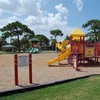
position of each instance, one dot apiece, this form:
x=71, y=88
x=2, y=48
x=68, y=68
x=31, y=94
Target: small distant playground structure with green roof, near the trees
x=35, y=47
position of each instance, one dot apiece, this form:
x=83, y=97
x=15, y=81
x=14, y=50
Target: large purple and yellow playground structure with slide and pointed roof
x=77, y=50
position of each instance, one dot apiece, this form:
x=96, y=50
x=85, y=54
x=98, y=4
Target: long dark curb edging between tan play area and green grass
x=31, y=88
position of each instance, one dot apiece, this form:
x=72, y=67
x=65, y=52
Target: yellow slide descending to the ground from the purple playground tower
x=61, y=57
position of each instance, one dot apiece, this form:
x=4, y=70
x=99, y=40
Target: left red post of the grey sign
x=16, y=69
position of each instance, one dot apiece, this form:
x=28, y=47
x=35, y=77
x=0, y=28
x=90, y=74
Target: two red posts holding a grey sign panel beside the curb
x=21, y=61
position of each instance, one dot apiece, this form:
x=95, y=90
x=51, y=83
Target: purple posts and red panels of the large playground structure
x=80, y=53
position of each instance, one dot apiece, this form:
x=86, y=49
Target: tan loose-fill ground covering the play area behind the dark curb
x=41, y=72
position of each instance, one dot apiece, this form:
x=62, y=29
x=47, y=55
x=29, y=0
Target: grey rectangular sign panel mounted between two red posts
x=23, y=61
